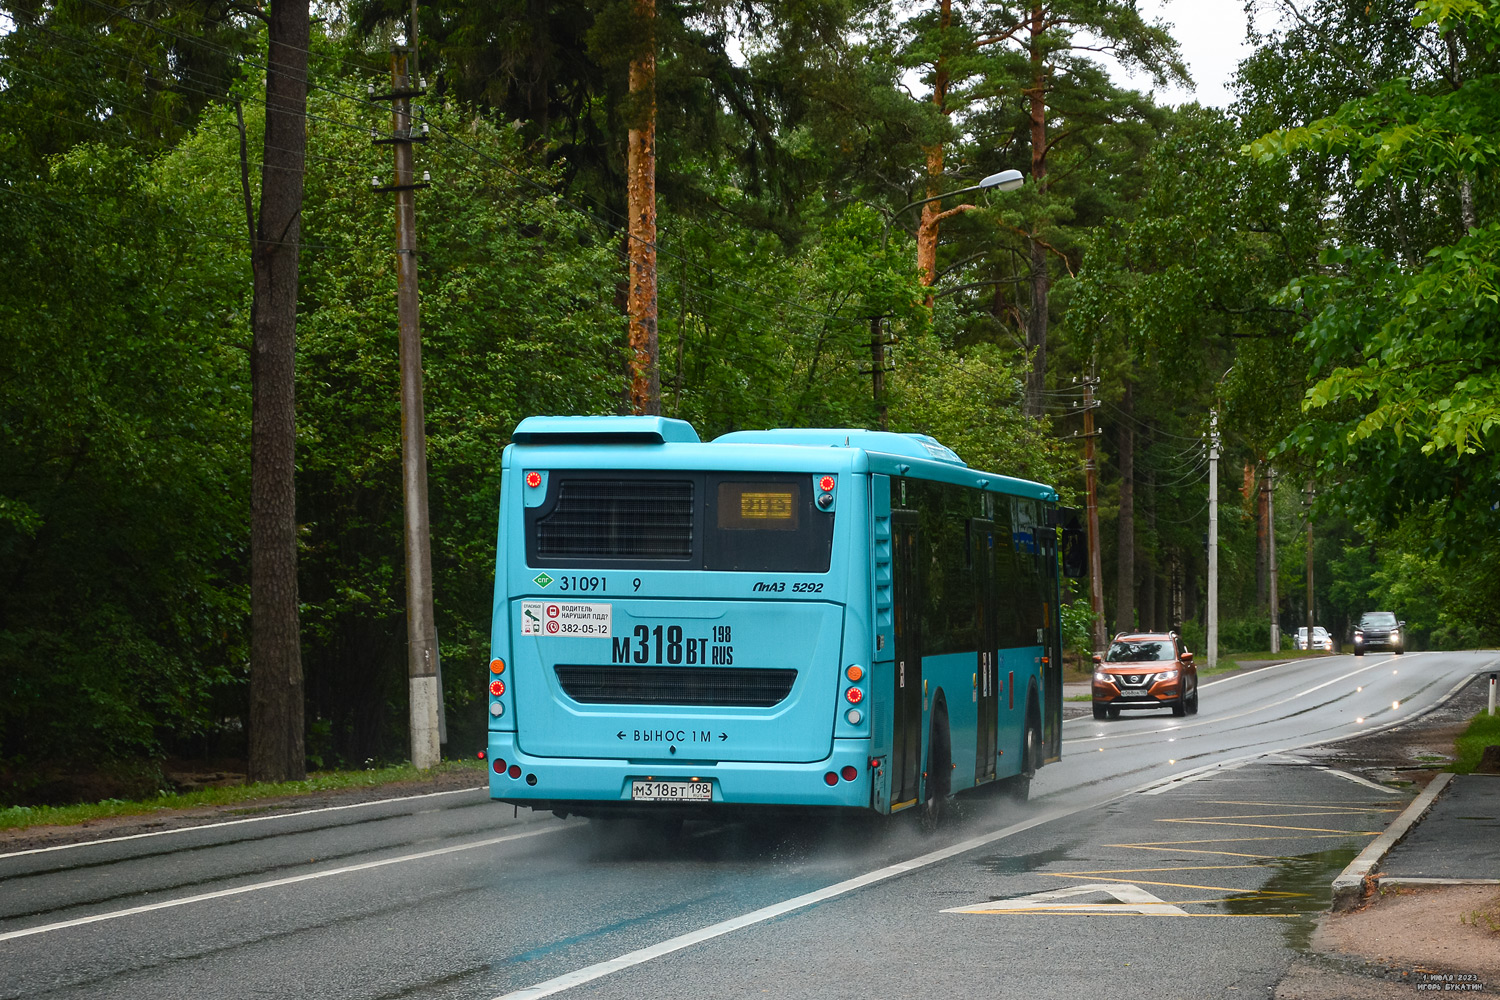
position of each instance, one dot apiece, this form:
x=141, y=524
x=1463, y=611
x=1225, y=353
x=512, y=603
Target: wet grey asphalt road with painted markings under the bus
x=1162, y=857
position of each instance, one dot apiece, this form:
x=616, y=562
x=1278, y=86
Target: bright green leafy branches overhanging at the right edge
x=1403, y=413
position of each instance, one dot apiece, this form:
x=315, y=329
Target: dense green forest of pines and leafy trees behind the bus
x=1318, y=265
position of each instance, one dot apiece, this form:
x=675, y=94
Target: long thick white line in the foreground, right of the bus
x=599, y=971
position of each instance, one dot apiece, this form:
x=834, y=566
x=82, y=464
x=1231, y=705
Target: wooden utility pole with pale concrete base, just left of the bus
x=422, y=641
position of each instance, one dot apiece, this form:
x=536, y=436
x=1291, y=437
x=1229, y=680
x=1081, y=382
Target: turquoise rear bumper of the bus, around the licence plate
x=575, y=785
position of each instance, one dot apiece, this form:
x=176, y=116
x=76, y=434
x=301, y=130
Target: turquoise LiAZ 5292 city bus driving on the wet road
x=802, y=618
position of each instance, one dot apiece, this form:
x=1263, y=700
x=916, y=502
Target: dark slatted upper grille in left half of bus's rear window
x=620, y=519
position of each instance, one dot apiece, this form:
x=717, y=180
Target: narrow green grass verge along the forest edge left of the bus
x=25, y=816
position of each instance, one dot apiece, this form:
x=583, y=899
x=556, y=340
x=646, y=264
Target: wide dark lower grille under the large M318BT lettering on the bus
x=752, y=687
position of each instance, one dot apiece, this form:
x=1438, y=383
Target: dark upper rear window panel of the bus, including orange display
x=743, y=522
